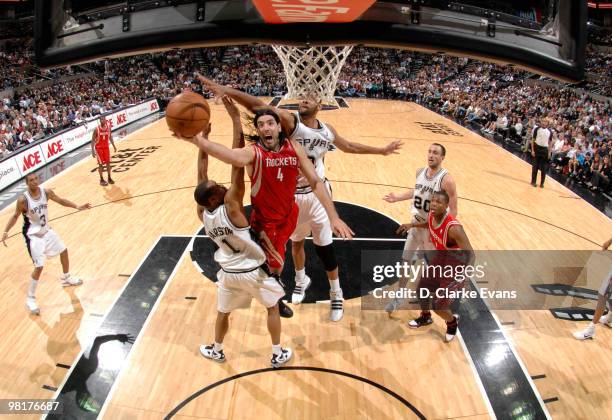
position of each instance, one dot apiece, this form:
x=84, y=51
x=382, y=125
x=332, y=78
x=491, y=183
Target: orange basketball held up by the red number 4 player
x=187, y=114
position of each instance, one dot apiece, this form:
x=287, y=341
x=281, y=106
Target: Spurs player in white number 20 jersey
x=428, y=180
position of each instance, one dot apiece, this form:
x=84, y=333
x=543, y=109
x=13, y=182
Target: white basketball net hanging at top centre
x=312, y=70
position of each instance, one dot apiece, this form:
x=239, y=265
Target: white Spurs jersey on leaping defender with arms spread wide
x=316, y=142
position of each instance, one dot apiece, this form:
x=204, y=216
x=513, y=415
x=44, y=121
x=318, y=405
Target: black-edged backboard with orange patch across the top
x=551, y=42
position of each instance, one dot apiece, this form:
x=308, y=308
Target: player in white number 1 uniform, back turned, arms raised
x=244, y=274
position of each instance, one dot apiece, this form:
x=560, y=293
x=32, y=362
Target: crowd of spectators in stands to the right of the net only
x=499, y=100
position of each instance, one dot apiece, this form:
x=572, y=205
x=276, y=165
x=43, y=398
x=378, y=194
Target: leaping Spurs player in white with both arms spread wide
x=316, y=138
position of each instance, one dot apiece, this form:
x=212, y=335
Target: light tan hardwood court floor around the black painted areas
x=497, y=206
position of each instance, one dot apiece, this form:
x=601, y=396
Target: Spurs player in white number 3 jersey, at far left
x=41, y=240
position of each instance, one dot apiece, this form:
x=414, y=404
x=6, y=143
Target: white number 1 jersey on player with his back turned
x=237, y=252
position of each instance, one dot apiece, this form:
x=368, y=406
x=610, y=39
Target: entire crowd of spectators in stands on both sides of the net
x=495, y=99
